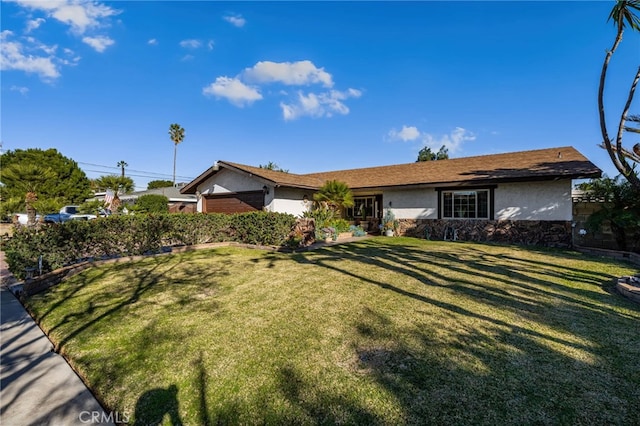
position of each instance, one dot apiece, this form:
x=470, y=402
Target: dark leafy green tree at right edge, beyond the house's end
x=620, y=208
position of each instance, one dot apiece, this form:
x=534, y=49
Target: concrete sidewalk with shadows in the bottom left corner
x=37, y=386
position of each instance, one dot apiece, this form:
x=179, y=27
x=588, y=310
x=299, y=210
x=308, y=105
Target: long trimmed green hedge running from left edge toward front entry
x=102, y=238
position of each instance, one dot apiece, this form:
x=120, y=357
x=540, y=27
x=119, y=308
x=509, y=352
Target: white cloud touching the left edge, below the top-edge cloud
x=15, y=56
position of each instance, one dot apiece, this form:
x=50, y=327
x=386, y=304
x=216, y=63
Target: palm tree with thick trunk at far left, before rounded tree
x=28, y=177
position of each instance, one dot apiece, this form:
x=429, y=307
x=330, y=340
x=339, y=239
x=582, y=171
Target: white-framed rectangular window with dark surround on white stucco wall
x=466, y=204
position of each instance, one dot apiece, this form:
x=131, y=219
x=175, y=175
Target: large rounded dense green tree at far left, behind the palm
x=63, y=183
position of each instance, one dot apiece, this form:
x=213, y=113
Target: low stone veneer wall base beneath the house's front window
x=522, y=232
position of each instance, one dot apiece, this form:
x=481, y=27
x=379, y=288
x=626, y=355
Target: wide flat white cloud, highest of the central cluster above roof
x=290, y=73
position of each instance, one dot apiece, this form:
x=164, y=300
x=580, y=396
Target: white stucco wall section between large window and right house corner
x=549, y=200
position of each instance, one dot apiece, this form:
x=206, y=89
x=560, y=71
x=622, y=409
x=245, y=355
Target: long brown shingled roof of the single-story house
x=542, y=164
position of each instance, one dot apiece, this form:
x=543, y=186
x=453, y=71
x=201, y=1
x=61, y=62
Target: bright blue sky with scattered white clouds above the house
x=311, y=86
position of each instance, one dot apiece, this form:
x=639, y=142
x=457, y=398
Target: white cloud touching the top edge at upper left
x=78, y=15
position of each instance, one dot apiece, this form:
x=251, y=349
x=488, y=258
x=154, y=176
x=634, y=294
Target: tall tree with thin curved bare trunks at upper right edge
x=622, y=14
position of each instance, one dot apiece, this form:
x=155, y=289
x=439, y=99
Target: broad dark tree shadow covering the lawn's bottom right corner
x=469, y=381
